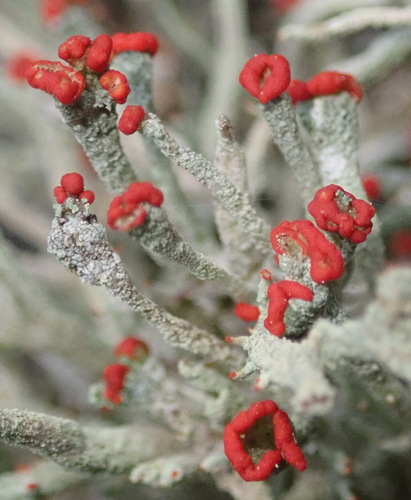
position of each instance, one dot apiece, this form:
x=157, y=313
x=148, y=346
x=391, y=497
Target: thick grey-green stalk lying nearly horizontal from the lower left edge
x=85, y=449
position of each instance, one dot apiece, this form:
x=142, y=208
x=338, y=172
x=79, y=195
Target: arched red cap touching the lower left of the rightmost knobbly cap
x=301, y=237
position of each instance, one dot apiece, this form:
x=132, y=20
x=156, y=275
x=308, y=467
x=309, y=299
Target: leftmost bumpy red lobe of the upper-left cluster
x=63, y=82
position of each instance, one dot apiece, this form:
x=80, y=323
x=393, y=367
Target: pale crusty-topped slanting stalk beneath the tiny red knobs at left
x=80, y=243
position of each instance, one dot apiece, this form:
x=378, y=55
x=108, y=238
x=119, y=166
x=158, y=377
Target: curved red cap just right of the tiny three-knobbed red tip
x=126, y=212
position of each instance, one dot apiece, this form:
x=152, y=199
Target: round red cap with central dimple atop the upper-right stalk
x=265, y=76
